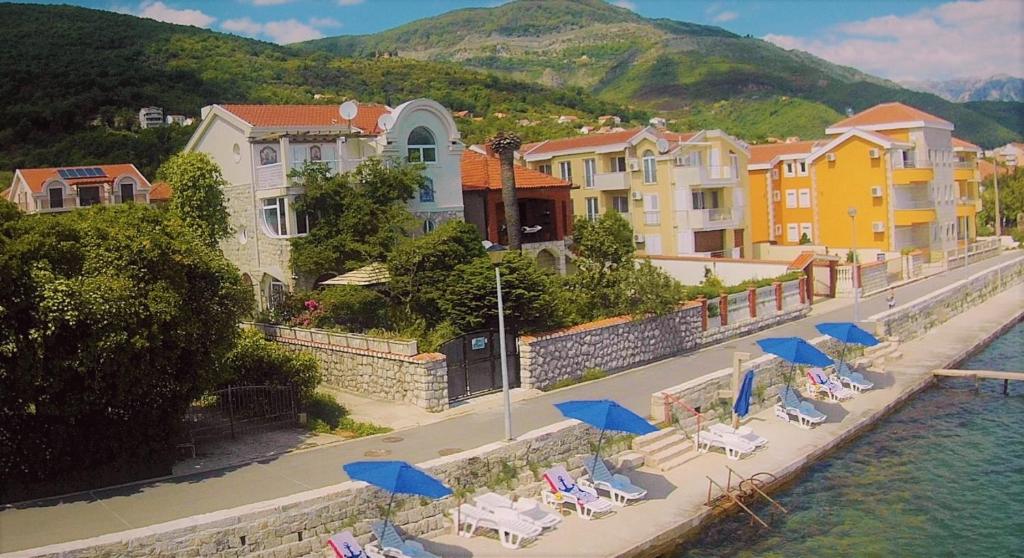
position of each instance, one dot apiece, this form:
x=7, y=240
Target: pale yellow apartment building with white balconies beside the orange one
x=685, y=194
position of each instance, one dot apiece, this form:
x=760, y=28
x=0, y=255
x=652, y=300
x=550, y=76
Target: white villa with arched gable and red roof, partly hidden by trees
x=257, y=146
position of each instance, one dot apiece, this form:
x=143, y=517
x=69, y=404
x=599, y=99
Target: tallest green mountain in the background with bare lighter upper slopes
x=698, y=75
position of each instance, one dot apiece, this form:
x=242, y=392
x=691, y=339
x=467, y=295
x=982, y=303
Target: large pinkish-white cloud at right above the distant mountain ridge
x=953, y=40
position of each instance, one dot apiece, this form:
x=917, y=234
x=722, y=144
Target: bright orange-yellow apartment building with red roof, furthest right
x=912, y=186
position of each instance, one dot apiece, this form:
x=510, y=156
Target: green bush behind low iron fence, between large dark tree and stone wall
x=254, y=361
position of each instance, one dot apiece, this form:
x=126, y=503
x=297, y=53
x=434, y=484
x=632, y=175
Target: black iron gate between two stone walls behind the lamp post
x=475, y=364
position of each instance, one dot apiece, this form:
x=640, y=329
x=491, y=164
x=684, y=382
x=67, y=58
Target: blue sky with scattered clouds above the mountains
x=899, y=39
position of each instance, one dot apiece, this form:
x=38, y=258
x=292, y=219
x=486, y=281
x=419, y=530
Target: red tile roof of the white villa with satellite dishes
x=271, y=116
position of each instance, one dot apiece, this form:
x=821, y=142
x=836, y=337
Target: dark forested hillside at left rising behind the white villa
x=71, y=94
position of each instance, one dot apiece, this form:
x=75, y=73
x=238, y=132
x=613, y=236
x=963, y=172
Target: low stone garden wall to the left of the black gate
x=388, y=369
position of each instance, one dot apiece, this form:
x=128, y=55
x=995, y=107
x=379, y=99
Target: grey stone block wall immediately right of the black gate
x=609, y=345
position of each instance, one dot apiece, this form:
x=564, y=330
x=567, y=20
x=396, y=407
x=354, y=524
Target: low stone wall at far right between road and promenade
x=916, y=318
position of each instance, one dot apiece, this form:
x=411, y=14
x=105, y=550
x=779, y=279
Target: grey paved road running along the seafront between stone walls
x=140, y=505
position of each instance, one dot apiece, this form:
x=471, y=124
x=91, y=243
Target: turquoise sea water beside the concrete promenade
x=944, y=477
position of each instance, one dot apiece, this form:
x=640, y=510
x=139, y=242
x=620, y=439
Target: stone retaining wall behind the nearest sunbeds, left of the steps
x=301, y=525
